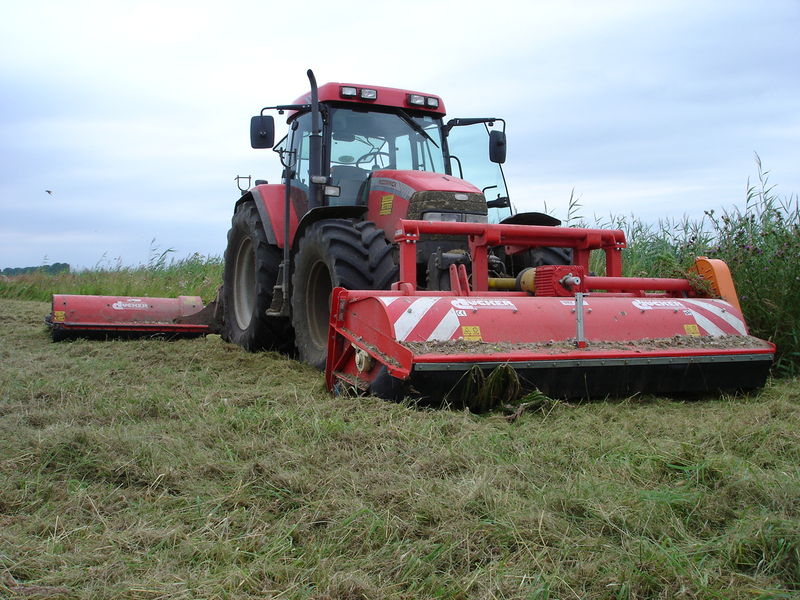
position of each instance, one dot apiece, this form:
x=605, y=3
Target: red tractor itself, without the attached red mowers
x=357, y=160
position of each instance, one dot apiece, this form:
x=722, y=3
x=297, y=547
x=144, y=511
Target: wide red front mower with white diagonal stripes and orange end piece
x=564, y=331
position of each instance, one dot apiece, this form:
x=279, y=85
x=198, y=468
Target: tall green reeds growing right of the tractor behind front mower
x=760, y=242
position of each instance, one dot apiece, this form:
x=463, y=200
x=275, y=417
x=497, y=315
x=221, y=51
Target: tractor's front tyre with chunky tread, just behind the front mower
x=334, y=253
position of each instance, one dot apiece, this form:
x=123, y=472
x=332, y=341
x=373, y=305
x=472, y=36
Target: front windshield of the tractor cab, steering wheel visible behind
x=377, y=140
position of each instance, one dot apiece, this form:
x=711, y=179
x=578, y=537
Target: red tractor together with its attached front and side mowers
x=376, y=259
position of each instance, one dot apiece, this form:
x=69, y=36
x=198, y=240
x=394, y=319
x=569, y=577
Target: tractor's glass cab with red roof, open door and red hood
x=367, y=137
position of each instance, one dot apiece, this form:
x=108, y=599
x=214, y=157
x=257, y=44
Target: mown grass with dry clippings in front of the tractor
x=190, y=469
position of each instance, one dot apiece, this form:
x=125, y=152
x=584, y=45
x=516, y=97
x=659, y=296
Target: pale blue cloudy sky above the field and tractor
x=135, y=114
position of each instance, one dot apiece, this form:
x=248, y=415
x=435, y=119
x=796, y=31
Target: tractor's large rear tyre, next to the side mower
x=251, y=271
